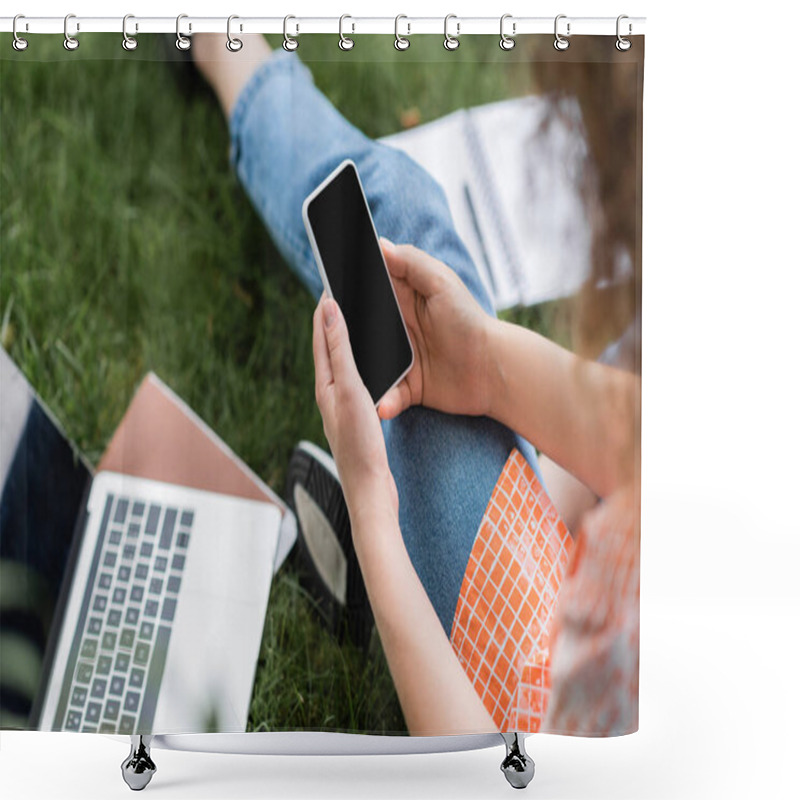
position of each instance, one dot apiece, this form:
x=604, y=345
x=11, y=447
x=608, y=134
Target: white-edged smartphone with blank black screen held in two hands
x=350, y=262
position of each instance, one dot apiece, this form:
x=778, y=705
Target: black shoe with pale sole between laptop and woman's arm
x=329, y=569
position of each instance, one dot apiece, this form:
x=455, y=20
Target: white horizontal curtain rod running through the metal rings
x=299, y=25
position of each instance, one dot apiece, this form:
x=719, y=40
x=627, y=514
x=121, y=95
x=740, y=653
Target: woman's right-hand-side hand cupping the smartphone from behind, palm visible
x=449, y=332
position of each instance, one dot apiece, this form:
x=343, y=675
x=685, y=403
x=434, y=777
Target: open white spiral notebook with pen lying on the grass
x=523, y=209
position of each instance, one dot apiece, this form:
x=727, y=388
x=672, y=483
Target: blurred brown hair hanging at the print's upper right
x=608, y=86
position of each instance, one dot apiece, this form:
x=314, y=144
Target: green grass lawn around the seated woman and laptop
x=127, y=245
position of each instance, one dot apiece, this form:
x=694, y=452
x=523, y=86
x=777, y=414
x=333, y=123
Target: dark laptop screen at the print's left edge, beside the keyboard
x=42, y=485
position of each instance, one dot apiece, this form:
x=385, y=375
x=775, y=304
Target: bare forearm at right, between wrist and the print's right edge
x=582, y=414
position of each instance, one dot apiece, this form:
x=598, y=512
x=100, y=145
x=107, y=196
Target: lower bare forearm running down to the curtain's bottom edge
x=434, y=691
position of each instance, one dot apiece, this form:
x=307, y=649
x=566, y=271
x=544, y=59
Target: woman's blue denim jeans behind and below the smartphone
x=286, y=138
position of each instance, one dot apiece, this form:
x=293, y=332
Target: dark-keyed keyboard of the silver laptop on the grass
x=118, y=654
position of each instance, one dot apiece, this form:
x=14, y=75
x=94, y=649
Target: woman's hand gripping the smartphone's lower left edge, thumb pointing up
x=348, y=414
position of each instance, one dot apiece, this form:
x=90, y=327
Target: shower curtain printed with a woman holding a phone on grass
x=156, y=275
